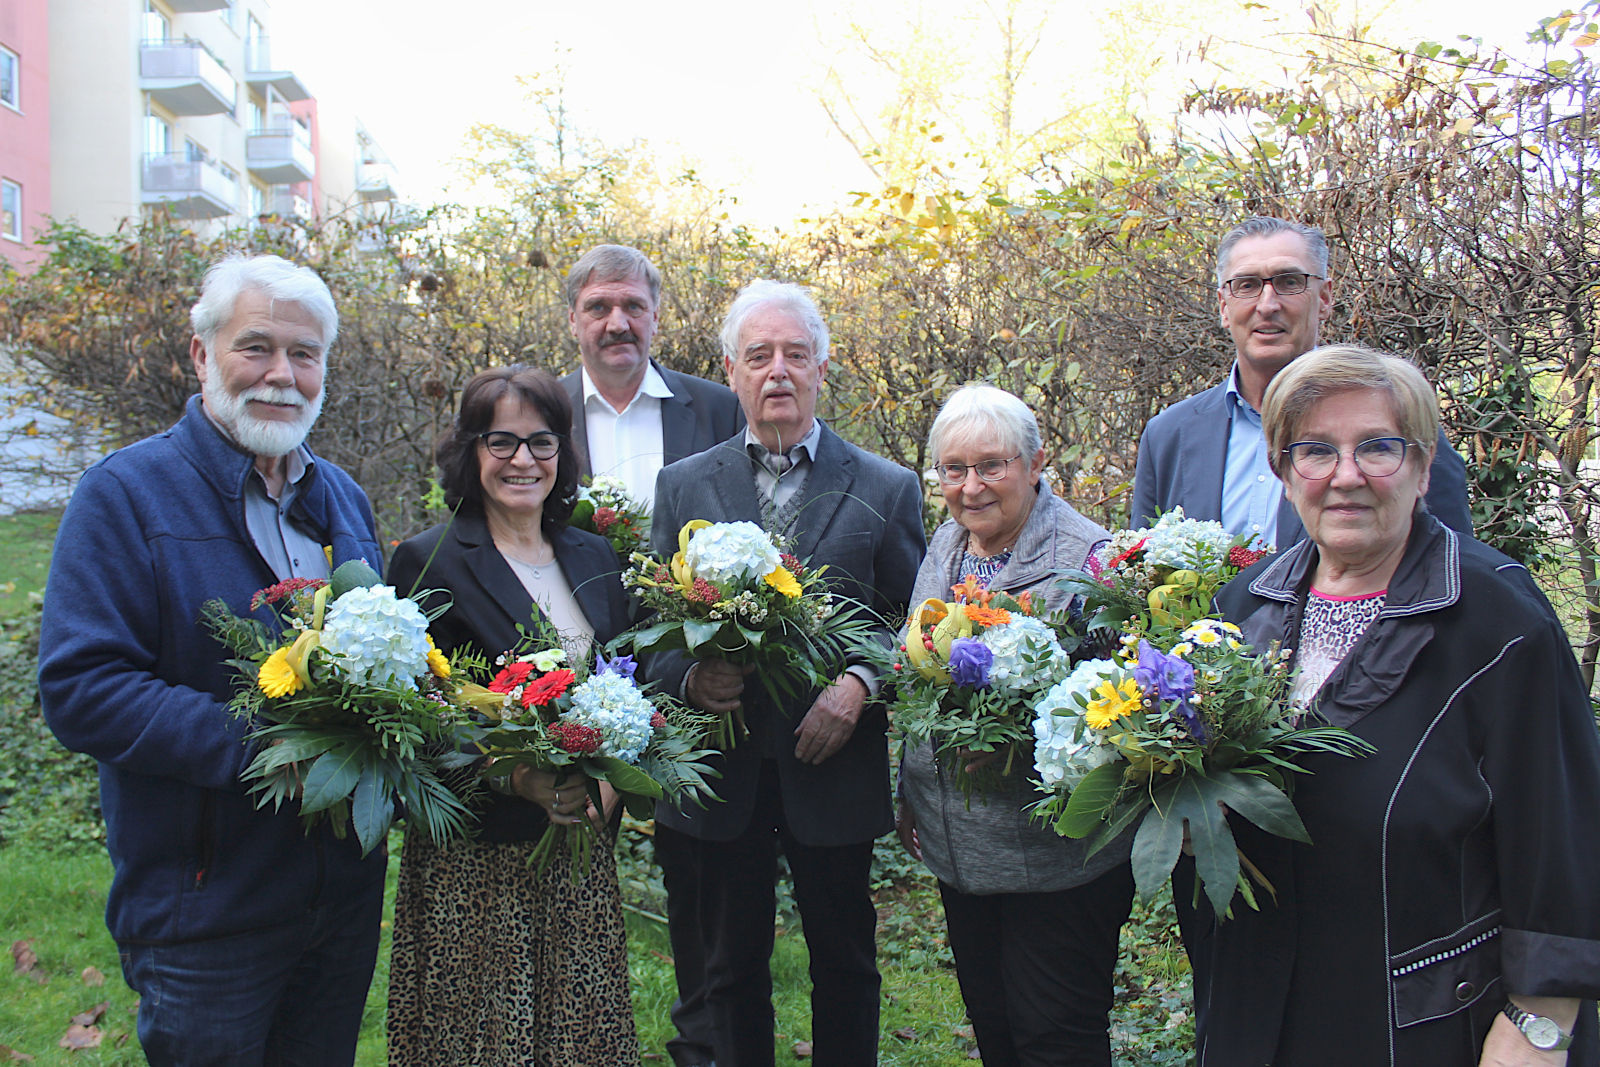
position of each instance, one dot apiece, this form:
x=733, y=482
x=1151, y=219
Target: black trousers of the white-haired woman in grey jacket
x=1036, y=970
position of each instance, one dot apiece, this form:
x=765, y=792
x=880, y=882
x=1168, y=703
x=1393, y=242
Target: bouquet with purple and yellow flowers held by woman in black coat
x=1166, y=738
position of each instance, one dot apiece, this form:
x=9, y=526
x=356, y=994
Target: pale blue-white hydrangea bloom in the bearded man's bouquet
x=377, y=637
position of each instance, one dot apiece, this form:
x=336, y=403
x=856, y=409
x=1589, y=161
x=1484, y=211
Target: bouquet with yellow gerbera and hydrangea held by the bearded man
x=351, y=703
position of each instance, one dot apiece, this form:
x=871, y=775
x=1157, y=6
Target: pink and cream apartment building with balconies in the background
x=170, y=105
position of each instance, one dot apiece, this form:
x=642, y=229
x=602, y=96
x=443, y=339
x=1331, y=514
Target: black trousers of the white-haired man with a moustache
x=738, y=909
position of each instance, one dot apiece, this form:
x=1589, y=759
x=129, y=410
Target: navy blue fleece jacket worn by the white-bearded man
x=132, y=677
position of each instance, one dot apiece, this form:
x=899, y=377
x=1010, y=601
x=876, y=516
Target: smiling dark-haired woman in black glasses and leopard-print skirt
x=494, y=964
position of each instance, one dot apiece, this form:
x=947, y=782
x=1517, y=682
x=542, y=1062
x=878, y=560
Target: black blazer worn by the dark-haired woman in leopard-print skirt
x=487, y=602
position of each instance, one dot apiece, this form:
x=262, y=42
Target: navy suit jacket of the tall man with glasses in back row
x=1183, y=458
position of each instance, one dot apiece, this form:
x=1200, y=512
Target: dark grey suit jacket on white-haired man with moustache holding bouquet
x=862, y=518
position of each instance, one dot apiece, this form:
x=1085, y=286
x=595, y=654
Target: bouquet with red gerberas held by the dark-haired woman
x=540, y=713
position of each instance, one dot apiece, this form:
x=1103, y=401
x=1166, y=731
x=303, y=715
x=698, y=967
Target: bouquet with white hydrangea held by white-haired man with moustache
x=732, y=594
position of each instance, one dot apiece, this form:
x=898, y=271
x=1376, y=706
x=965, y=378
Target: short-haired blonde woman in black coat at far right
x=1449, y=909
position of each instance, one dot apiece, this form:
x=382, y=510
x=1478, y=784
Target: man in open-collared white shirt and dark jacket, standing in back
x=631, y=415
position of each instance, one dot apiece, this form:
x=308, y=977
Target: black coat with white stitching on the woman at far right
x=1452, y=866
